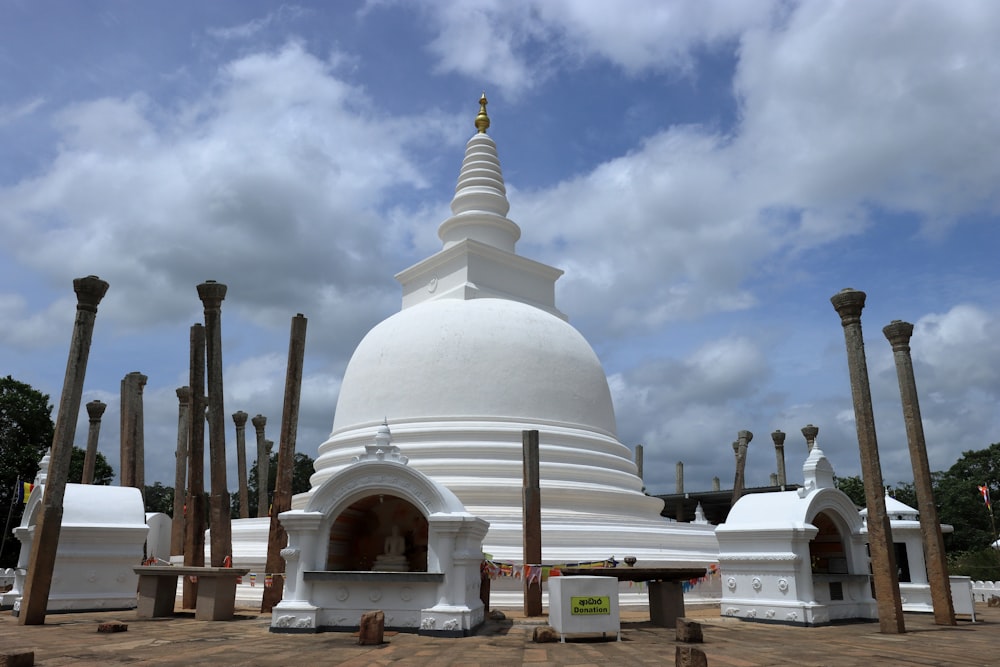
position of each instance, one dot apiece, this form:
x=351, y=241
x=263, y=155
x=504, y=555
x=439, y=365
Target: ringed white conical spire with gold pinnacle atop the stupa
x=480, y=203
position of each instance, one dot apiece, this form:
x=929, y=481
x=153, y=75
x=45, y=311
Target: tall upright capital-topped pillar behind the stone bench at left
x=211, y=294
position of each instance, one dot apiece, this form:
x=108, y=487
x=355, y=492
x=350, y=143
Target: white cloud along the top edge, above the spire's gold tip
x=518, y=45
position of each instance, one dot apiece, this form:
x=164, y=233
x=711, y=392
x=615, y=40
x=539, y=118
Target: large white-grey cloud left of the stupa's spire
x=269, y=183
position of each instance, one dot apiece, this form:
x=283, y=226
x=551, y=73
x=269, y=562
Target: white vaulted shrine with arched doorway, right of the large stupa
x=796, y=557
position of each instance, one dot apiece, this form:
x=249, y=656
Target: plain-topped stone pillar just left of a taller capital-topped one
x=194, y=540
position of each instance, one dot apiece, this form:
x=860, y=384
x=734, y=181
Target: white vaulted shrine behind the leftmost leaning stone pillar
x=102, y=537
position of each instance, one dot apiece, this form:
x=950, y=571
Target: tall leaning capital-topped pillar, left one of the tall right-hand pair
x=849, y=303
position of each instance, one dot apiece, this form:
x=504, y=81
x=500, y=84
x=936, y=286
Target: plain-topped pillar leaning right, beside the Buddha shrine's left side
x=277, y=539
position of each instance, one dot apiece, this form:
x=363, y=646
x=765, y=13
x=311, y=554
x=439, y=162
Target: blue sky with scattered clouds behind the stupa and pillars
x=708, y=175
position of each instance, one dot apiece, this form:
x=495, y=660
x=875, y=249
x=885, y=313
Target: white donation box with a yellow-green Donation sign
x=583, y=605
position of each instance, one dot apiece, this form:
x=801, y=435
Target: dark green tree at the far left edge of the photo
x=26, y=431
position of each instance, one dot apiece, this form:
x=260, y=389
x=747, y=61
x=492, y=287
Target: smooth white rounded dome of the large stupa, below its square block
x=479, y=359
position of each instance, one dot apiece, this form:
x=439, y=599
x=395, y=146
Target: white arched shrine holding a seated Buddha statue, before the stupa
x=380, y=534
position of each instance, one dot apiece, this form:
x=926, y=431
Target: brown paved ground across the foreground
x=72, y=639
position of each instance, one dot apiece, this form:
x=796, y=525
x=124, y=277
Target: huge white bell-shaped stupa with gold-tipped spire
x=478, y=353
